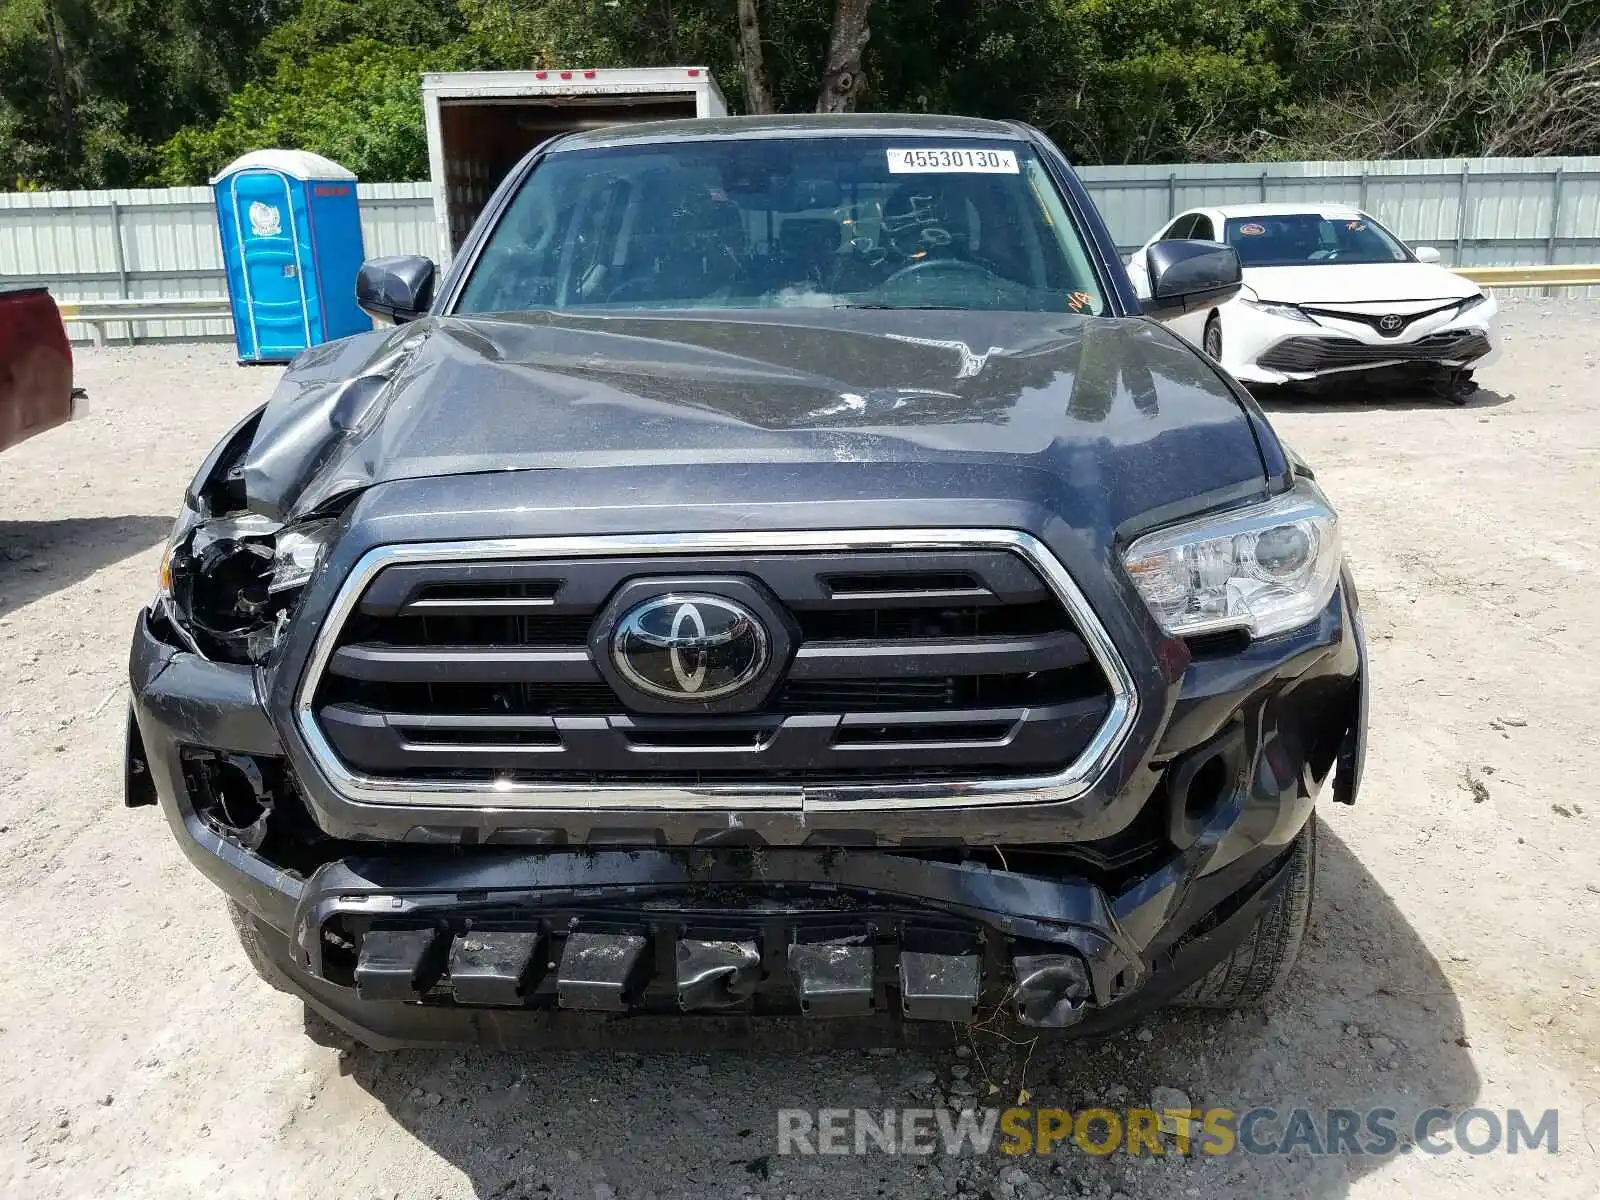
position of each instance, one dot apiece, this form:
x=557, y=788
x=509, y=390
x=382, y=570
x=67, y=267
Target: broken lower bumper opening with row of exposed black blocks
x=756, y=934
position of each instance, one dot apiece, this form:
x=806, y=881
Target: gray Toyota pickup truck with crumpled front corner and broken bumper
x=780, y=574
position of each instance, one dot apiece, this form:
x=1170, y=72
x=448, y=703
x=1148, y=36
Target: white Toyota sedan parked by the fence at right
x=1329, y=292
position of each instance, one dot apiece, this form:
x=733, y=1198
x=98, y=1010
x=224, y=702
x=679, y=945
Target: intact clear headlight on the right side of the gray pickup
x=1266, y=569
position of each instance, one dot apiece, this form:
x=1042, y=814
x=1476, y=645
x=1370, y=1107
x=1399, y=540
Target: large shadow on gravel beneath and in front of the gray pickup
x=601, y=1126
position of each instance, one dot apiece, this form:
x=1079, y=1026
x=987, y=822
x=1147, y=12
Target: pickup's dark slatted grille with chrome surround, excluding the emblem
x=457, y=671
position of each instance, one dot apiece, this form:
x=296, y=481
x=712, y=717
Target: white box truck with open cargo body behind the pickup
x=482, y=122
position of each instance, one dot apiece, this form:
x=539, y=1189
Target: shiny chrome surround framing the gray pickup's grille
x=857, y=799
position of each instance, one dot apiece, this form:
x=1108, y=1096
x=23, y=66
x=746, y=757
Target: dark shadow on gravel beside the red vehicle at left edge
x=42, y=558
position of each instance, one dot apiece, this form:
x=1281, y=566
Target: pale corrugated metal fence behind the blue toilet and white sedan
x=1479, y=212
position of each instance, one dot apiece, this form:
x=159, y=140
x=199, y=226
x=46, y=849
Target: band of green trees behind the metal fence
x=119, y=92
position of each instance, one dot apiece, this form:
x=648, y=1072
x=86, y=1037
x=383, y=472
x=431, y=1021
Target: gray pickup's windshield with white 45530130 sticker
x=788, y=223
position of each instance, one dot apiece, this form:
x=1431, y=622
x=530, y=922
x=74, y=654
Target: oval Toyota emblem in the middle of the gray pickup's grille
x=690, y=647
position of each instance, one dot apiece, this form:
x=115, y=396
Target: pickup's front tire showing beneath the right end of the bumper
x=1265, y=961
